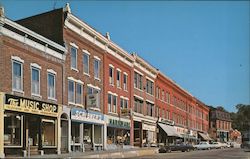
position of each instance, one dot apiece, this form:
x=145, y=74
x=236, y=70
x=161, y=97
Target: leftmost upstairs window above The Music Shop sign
x=17, y=75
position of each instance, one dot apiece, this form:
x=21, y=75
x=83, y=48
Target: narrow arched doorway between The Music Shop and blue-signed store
x=64, y=133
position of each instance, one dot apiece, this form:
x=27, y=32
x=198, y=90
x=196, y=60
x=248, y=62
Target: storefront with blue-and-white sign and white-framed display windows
x=87, y=129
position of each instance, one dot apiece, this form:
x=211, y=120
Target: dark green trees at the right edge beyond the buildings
x=241, y=119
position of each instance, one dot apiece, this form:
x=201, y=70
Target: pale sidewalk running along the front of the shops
x=127, y=153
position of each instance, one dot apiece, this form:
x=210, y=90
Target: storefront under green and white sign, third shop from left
x=118, y=132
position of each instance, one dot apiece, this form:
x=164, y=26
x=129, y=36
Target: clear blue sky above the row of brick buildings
x=202, y=45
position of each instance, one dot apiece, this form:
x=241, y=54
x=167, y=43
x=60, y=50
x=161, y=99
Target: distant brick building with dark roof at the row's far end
x=220, y=124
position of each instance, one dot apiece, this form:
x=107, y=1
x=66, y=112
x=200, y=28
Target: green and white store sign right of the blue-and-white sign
x=117, y=122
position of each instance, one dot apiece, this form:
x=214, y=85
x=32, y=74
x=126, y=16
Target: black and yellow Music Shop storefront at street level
x=30, y=126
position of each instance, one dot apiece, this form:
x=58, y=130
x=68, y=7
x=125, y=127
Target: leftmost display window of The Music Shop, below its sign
x=12, y=129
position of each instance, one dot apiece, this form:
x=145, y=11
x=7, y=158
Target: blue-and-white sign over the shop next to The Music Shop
x=87, y=116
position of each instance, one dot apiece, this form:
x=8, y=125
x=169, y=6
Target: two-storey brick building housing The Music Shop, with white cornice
x=31, y=90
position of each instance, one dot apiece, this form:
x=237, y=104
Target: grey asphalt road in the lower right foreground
x=229, y=153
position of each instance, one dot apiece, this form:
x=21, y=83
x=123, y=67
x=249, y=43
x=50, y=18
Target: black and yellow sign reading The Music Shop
x=26, y=105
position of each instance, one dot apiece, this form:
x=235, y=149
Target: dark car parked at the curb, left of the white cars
x=176, y=147
